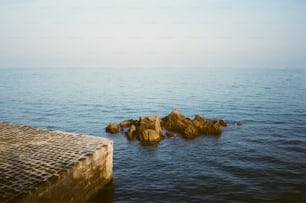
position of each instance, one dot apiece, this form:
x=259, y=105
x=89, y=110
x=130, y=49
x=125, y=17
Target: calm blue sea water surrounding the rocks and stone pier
x=264, y=159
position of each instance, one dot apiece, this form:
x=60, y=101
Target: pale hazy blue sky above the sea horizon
x=209, y=33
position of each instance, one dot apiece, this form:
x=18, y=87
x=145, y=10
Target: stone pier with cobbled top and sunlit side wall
x=39, y=165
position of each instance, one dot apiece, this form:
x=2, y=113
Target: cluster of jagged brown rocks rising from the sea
x=153, y=128
